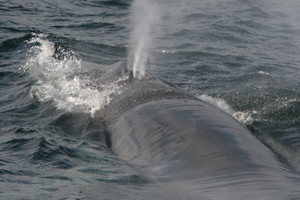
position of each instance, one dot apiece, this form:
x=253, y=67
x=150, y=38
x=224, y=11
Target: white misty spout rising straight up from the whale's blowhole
x=144, y=14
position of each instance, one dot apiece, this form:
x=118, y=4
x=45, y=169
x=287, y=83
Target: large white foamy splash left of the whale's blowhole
x=58, y=78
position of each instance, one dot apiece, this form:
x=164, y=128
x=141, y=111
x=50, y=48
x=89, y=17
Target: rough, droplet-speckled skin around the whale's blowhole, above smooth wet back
x=131, y=92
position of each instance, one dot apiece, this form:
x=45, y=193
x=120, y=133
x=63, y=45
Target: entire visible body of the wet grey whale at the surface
x=188, y=143
